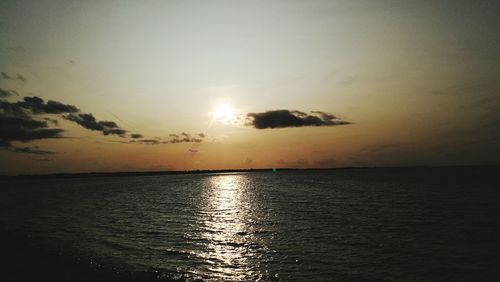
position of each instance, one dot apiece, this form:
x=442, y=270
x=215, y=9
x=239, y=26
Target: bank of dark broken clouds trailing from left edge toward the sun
x=29, y=119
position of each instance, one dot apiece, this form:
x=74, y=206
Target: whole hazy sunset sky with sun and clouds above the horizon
x=183, y=85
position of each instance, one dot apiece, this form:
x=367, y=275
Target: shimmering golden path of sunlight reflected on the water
x=226, y=218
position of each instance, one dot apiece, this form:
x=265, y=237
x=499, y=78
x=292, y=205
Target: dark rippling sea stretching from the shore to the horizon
x=343, y=225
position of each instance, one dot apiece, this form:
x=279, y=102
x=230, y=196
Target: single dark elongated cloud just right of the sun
x=287, y=118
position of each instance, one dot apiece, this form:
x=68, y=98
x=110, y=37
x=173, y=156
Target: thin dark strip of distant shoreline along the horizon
x=215, y=171
